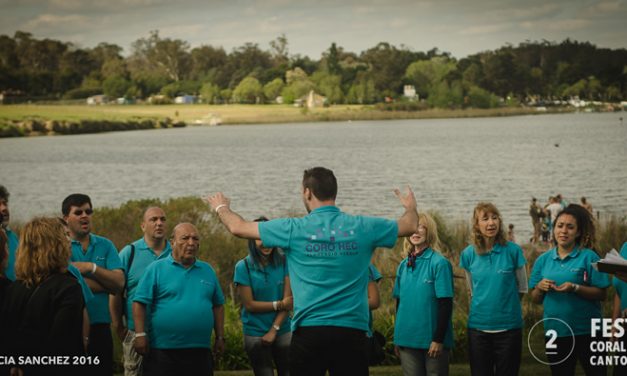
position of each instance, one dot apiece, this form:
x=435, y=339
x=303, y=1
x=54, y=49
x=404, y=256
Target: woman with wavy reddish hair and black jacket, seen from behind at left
x=42, y=313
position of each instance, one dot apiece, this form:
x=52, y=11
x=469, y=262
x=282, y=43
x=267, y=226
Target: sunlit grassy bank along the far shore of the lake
x=17, y=120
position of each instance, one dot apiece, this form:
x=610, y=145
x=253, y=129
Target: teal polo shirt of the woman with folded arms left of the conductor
x=267, y=284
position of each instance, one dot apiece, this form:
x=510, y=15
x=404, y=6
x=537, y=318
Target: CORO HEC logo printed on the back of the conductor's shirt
x=331, y=243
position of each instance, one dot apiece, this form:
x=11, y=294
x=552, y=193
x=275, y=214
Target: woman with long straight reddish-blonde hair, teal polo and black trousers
x=497, y=278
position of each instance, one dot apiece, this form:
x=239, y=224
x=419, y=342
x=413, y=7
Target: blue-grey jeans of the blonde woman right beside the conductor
x=416, y=362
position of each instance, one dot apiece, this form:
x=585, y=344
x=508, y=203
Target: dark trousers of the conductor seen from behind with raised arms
x=317, y=349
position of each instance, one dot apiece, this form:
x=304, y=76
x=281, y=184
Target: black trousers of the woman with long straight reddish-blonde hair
x=495, y=354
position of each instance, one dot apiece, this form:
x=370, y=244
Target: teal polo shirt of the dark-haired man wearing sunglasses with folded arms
x=102, y=252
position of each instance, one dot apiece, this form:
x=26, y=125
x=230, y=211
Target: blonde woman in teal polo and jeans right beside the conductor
x=424, y=303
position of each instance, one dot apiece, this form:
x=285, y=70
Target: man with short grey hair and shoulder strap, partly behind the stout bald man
x=135, y=259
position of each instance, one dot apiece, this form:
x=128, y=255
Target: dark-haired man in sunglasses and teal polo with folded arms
x=97, y=260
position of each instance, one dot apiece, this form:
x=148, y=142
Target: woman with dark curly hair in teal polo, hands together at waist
x=571, y=290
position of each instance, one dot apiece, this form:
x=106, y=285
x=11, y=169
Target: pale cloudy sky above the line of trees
x=460, y=27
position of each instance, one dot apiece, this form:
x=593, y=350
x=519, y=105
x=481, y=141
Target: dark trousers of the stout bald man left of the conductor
x=188, y=362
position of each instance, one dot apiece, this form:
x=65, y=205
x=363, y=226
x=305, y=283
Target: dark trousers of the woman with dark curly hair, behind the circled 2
x=581, y=351
